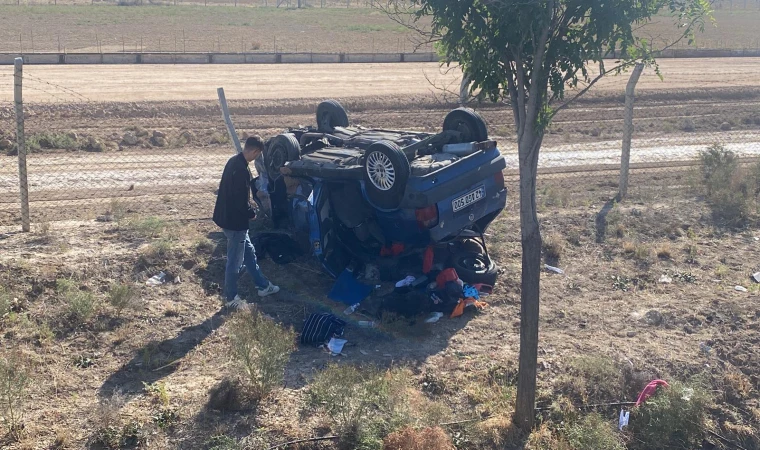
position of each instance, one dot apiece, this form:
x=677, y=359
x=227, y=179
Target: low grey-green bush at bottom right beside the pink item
x=673, y=418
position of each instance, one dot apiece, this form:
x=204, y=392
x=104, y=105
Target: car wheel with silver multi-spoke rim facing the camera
x=386, y=171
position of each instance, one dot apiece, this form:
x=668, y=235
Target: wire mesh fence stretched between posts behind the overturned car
x=92, y=160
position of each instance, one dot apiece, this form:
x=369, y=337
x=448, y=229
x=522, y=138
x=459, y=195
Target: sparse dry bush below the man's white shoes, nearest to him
x=261, y=348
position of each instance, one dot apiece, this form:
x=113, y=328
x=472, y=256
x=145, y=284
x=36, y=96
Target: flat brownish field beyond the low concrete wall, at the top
x=92, y=28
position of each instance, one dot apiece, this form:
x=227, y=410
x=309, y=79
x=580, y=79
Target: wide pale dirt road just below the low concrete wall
x=136, y=83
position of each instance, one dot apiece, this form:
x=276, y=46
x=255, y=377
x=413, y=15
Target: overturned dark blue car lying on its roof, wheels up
x=399, y=200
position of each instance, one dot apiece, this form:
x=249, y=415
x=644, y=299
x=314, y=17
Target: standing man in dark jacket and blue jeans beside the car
x=232, y=212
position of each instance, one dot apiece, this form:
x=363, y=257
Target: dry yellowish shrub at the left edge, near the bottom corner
x=14, y=380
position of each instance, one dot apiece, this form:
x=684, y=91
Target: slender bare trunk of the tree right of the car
x=528, y=149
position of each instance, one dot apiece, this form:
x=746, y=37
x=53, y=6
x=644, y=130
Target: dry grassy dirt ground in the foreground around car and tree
x=595, y=322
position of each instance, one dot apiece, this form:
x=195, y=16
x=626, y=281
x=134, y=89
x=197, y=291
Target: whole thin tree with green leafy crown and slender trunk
x=530, y=54
